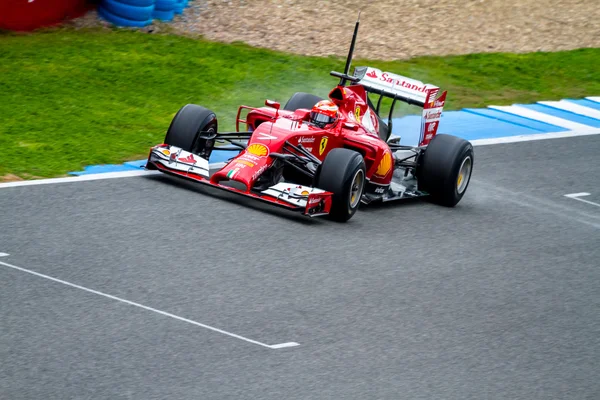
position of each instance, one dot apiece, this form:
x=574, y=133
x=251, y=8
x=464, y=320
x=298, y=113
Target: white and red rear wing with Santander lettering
x=407, y=90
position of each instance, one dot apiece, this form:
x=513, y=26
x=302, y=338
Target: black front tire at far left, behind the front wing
x=184, y=128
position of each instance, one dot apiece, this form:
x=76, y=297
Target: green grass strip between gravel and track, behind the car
x=74, y=98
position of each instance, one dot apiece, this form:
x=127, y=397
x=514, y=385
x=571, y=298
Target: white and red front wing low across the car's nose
x=175, y=161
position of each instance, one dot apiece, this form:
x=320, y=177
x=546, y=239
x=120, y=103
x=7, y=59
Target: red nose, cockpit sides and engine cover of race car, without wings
x=272, y=128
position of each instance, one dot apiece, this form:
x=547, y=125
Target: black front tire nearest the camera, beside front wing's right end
x=343, y=173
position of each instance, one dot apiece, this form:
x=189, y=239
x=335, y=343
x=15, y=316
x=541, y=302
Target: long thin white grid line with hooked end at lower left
x=189, y=321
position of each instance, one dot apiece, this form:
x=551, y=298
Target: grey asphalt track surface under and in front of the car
x=498, y=298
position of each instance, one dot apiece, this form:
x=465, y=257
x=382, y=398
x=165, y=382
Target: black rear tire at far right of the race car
x=446, y=169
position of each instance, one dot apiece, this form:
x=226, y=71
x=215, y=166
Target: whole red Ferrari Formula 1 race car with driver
x=324, y=156
